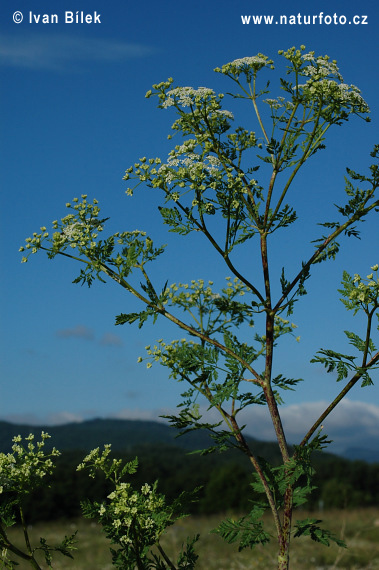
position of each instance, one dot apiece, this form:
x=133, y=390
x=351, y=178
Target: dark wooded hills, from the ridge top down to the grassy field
x=225, y=478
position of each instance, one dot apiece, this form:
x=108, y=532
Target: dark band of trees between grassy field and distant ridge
x=224, y=480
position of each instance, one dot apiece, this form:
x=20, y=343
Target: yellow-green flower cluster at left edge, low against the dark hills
x=27, y=466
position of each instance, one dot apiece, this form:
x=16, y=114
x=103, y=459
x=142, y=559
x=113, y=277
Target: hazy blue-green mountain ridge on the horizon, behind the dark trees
x=125, y=435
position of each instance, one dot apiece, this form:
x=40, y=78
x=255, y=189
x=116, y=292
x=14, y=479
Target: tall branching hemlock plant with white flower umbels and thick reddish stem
x=233, y=185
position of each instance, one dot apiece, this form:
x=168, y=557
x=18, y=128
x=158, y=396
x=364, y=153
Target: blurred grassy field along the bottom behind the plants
x=359, y=529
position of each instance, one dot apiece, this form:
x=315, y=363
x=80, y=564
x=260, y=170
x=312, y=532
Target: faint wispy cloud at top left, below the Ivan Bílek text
x=64, y=52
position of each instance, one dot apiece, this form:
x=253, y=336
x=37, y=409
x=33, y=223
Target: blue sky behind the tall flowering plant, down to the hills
x=74, y=117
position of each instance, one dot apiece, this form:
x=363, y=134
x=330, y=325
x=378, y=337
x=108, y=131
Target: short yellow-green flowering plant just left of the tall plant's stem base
x=134, y=520
